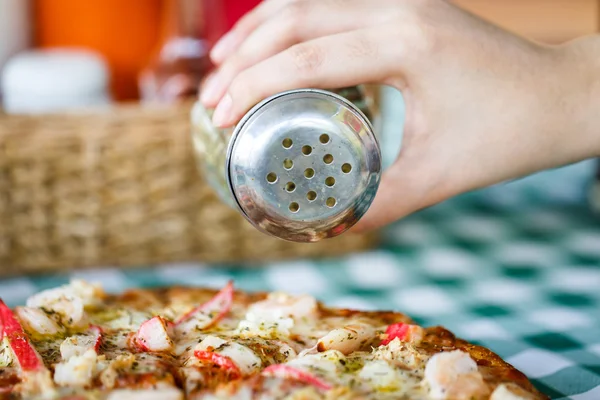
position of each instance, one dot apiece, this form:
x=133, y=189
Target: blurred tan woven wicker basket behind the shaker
x=120, y=187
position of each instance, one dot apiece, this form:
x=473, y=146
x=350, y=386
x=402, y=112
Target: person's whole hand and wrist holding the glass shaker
x=483, y=105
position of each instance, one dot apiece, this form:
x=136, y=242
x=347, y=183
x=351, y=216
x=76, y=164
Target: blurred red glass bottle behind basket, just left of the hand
x=190, y=28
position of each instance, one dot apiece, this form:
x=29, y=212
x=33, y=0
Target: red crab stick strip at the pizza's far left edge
x=27, y=357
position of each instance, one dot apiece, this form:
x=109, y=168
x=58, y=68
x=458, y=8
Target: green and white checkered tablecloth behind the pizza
x=515, y=267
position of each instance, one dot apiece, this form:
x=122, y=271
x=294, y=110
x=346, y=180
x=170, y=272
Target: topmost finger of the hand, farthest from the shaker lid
x=230, y=42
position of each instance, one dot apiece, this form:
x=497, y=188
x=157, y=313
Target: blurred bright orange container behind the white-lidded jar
x=125, y=32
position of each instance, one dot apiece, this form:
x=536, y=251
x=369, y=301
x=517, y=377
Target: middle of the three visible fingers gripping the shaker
x=295, y=23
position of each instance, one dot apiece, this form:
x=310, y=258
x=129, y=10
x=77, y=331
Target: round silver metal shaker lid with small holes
x=303, y=165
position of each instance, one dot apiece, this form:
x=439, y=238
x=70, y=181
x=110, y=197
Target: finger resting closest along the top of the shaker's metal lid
x=334, y=61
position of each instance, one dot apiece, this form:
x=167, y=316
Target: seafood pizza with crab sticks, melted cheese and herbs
x=77, y=342
